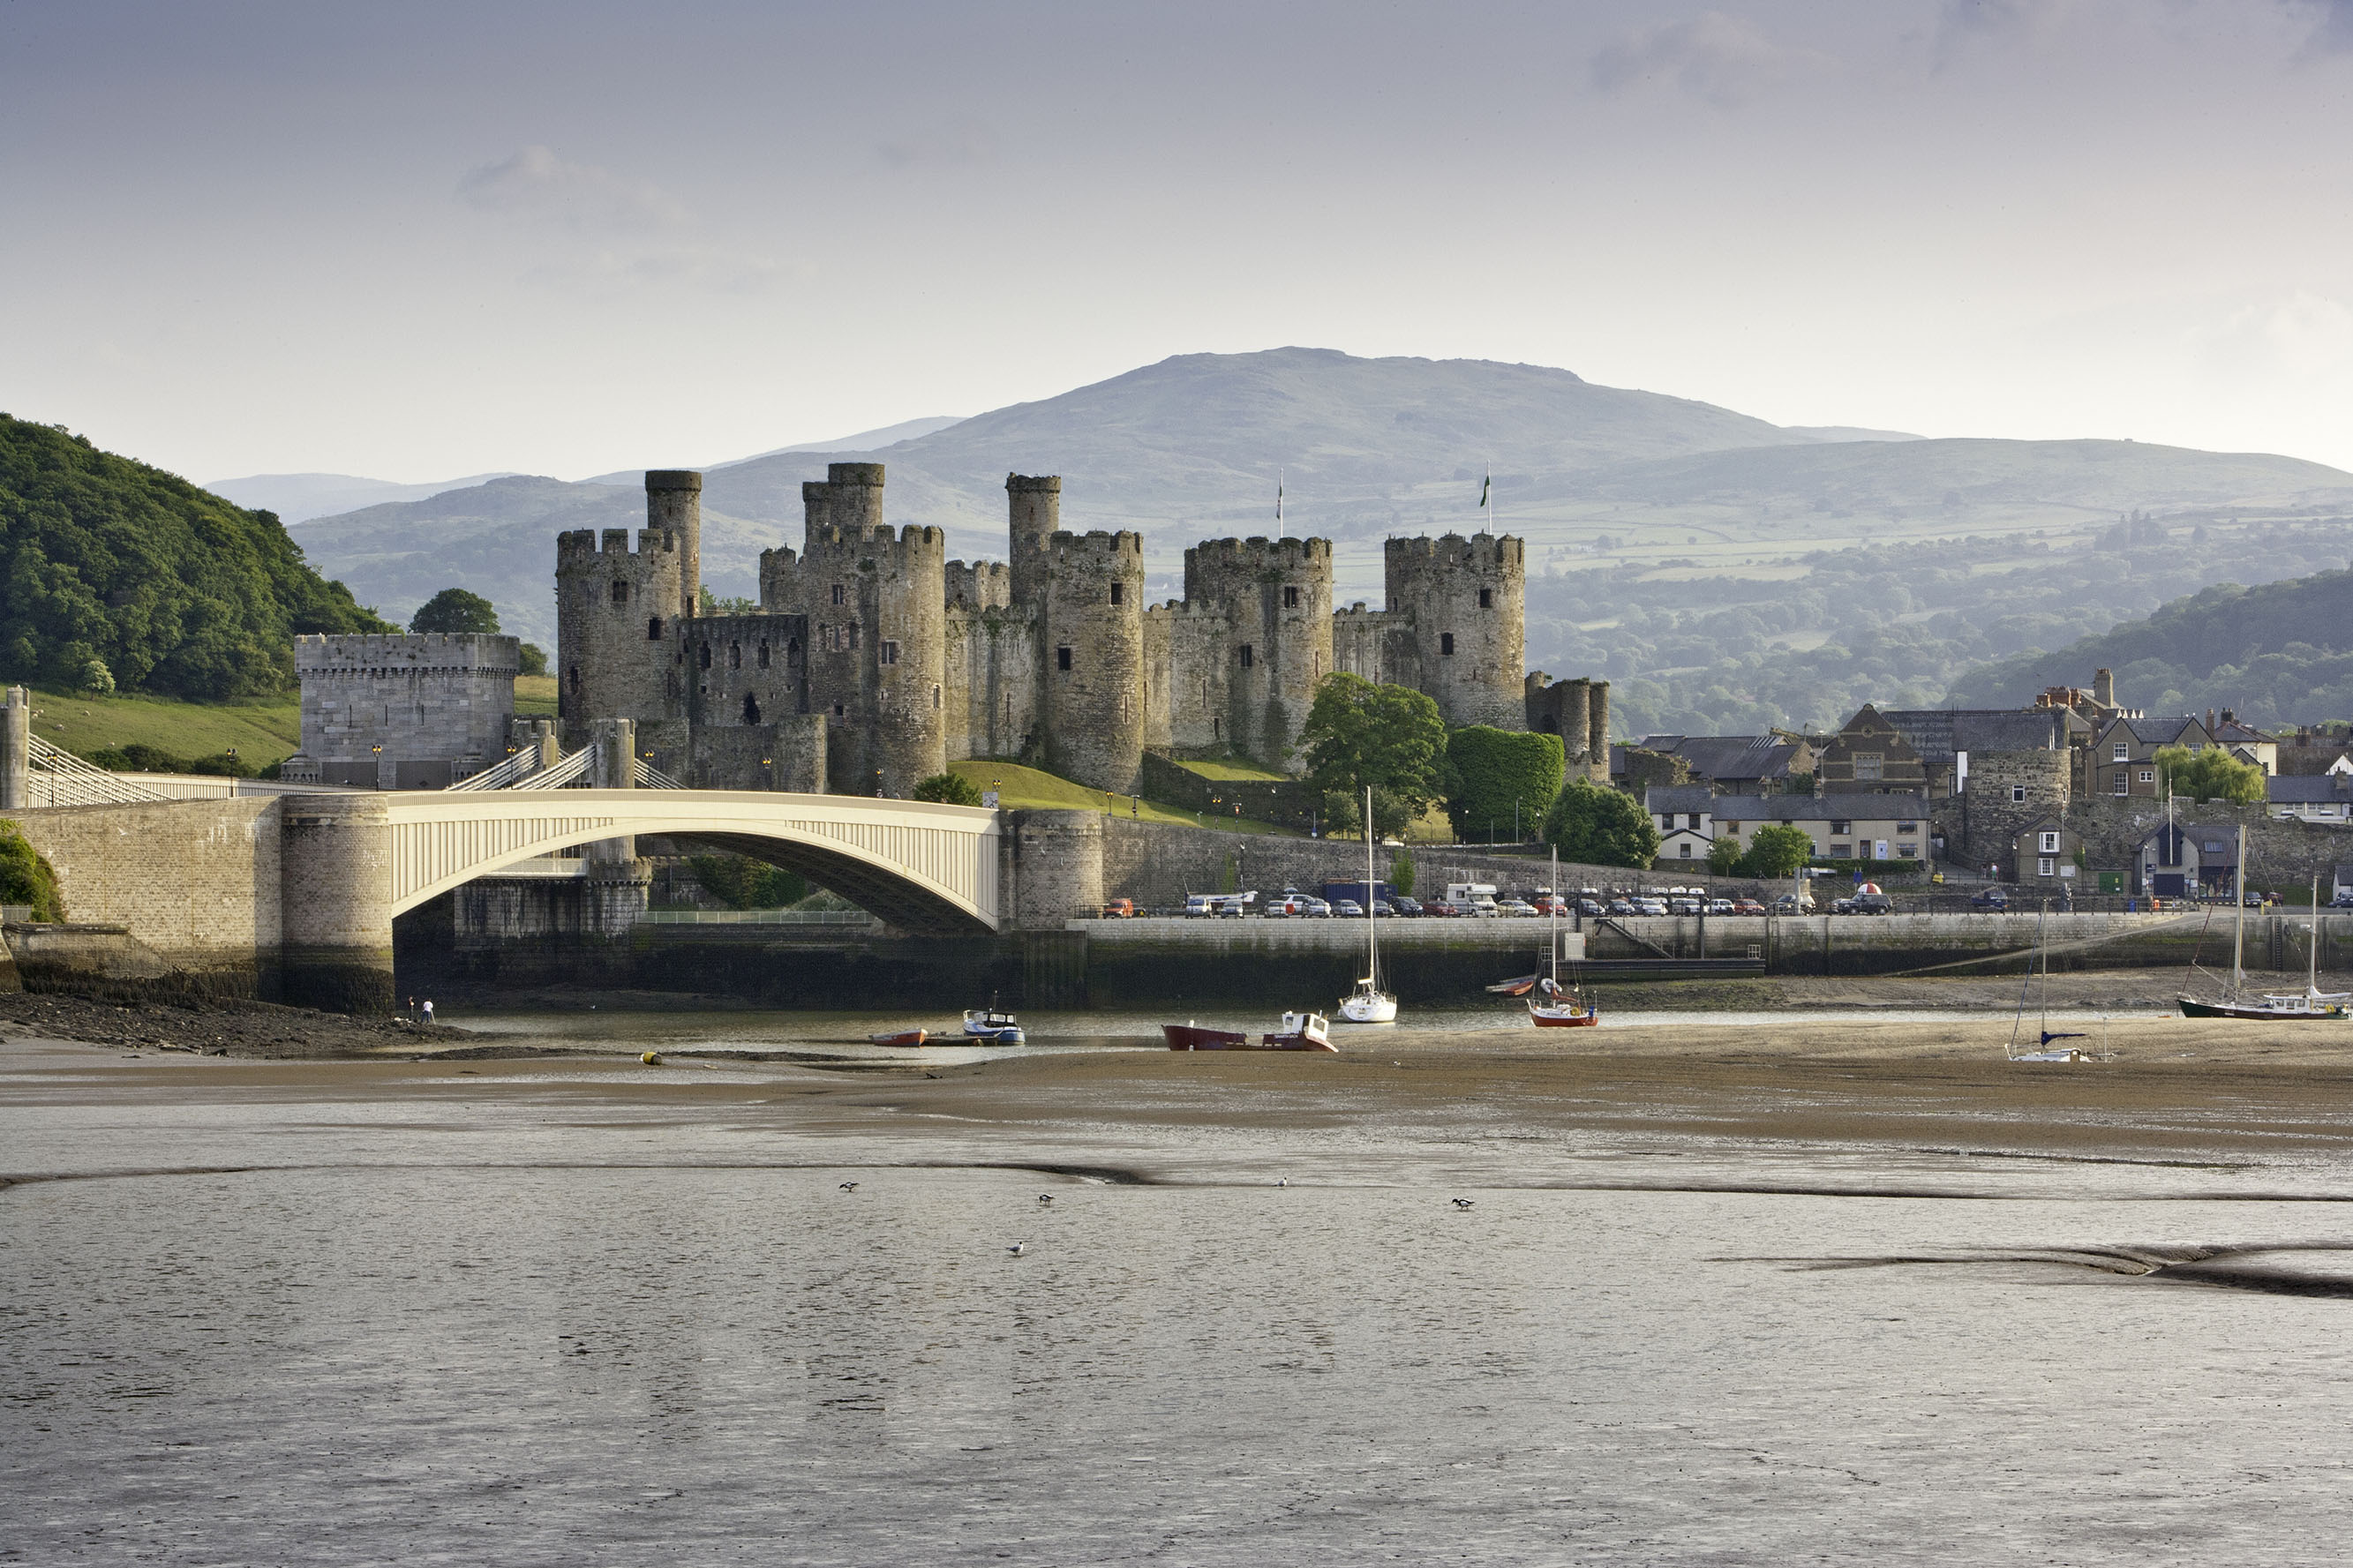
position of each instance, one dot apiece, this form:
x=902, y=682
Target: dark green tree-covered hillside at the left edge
x=168, y=587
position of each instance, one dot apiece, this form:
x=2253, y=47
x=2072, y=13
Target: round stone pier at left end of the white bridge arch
x=338, y=902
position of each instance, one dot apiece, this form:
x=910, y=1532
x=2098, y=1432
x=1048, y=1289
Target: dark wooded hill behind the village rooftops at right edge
x=2277, y=655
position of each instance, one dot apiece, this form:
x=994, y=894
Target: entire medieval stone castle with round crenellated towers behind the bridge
x=874, y=659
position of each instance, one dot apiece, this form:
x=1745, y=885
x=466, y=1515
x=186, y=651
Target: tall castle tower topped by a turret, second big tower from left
x=876, y=619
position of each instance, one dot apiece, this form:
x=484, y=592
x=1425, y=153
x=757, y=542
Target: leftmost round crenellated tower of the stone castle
x=615, y=619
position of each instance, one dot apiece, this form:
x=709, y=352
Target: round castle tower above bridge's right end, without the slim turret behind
x=1093, y=652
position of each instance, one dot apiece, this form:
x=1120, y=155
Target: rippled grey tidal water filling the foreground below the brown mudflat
x=479, y=1320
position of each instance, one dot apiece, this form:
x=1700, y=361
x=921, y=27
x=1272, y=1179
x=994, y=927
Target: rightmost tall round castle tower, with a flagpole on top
x=1469, y=608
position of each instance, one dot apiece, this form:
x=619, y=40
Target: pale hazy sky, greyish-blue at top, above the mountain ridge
x=418, y=241
